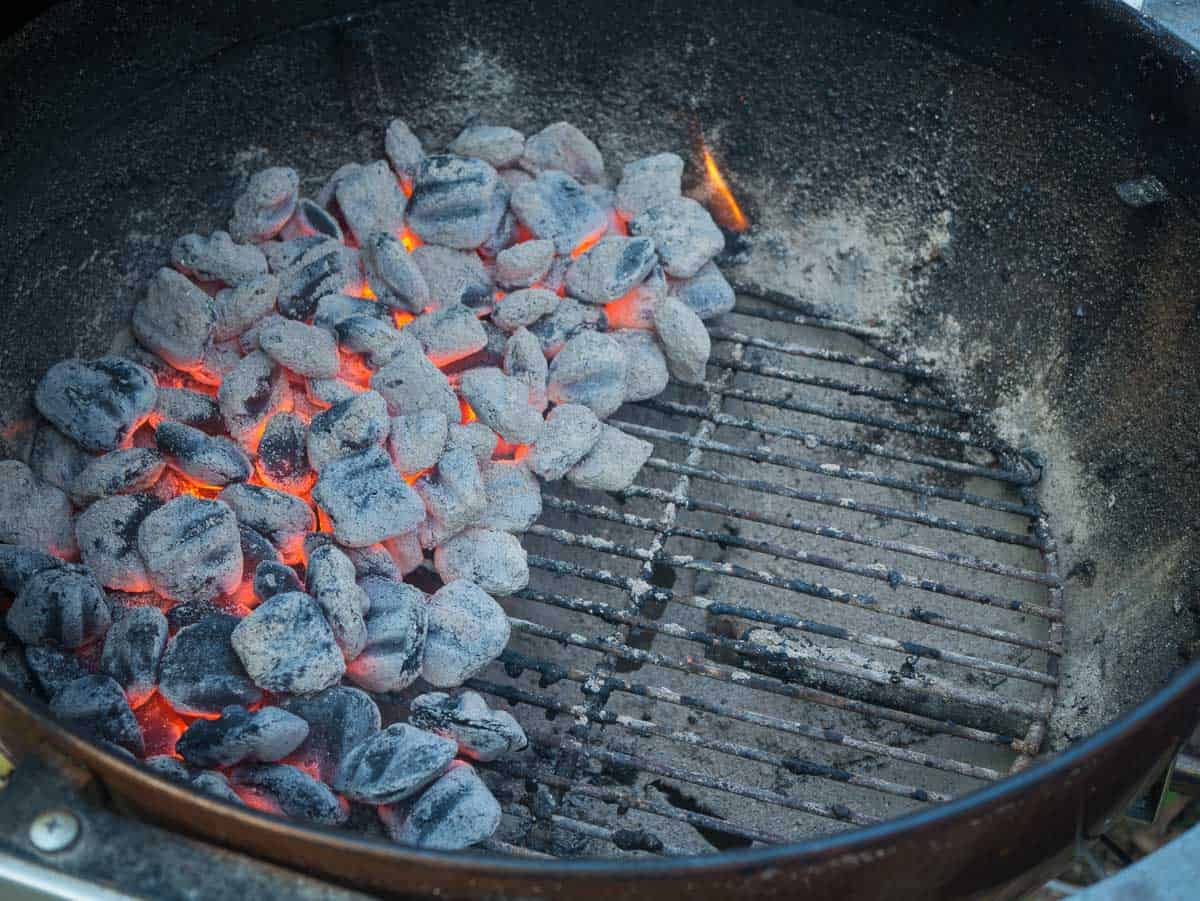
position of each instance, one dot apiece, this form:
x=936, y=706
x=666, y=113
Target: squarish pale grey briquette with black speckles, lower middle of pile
x=286, y=645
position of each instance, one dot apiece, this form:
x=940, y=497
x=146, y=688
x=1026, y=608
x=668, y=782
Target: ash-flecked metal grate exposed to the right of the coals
x=831, y=600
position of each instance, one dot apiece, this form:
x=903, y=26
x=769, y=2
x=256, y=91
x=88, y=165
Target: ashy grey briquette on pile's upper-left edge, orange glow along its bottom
x=176, y=320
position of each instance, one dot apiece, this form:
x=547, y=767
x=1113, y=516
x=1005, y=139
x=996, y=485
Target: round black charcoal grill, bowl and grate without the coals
x=820, y=644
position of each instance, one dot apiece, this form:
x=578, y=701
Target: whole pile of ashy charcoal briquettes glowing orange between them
x=212, y=560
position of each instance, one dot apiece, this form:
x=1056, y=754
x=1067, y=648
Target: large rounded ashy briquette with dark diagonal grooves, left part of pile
x=191, y=549
